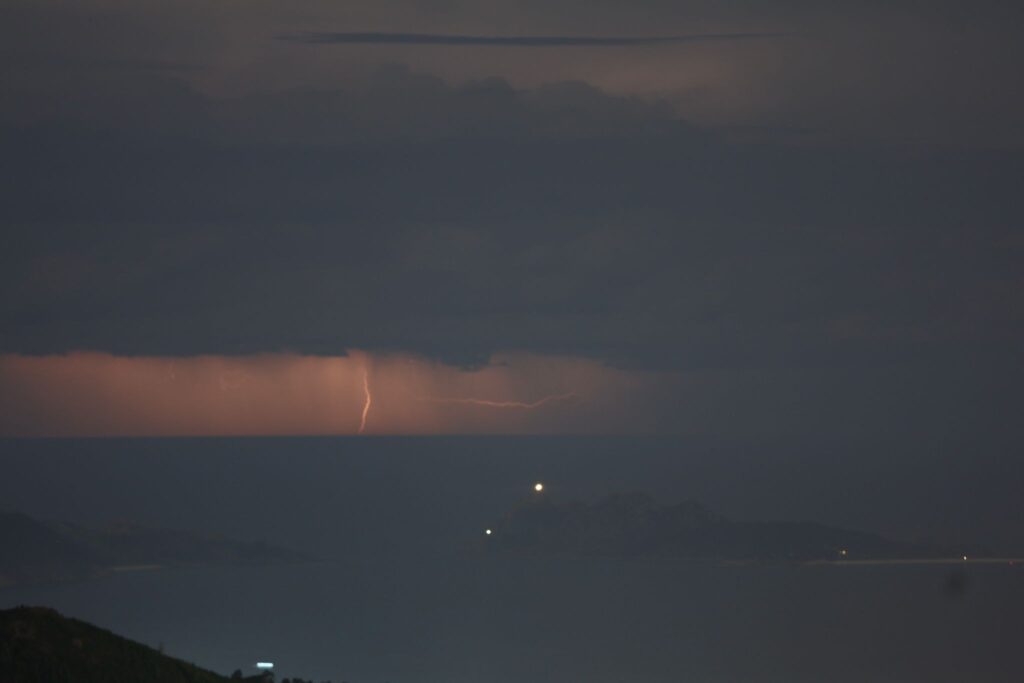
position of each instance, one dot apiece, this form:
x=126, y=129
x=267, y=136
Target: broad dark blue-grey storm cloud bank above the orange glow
x=456, y=221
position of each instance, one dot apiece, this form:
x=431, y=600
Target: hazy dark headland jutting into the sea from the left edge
x=34, y=551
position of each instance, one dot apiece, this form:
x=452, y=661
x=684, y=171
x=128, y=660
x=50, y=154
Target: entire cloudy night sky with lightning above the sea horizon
x=513, y=218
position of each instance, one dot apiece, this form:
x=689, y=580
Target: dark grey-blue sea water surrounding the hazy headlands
x=407, y=590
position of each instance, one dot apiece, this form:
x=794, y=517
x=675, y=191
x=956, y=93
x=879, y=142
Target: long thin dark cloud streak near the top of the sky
x=323, y=37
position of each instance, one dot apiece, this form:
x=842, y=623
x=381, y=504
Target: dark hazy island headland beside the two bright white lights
x=635, y=526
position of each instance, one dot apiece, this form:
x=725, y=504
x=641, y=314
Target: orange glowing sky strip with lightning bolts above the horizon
x=100, y=395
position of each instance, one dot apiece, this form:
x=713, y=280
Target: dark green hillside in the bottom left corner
x=38, y=646
